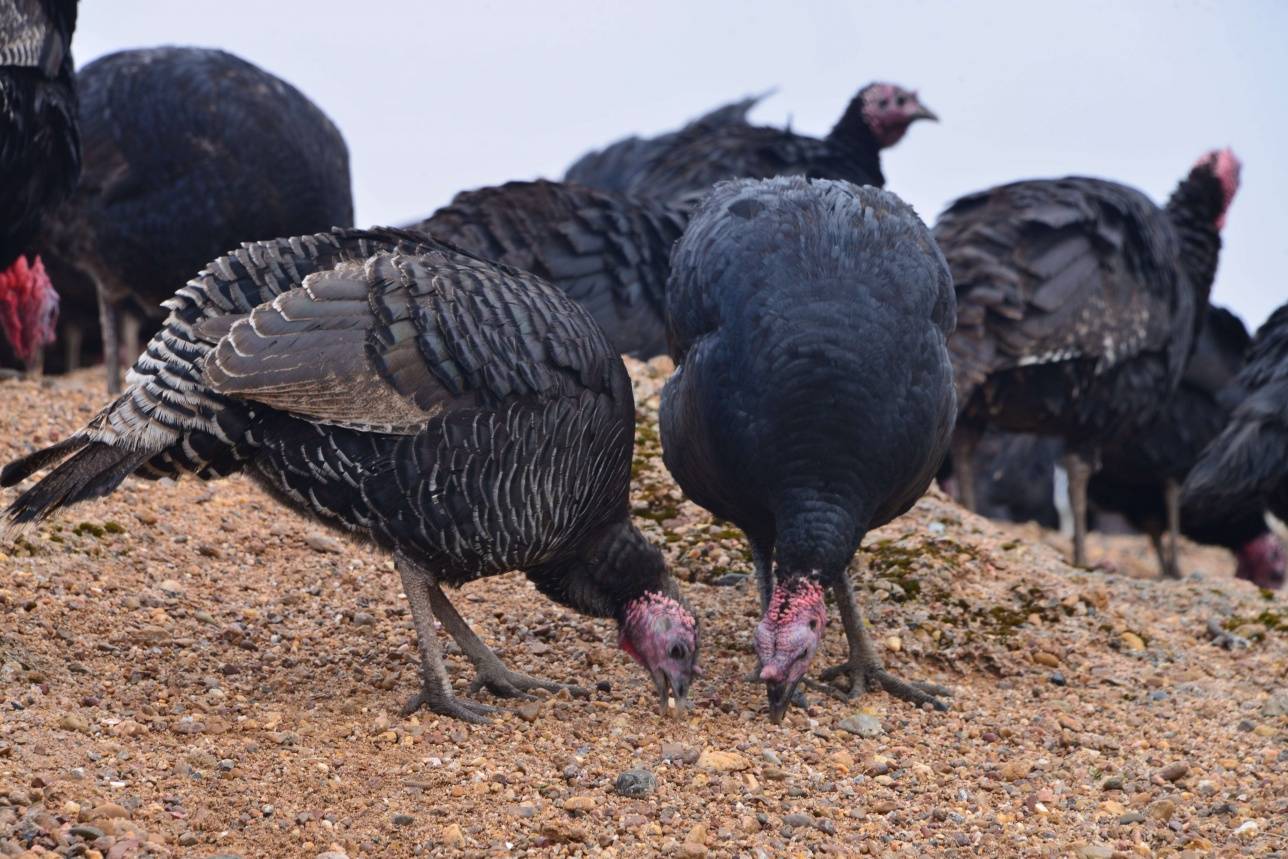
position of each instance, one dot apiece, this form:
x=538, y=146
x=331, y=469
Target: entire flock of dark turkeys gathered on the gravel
x=453, y=390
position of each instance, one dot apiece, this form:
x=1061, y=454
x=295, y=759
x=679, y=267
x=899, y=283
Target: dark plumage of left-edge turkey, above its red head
x=41, y=158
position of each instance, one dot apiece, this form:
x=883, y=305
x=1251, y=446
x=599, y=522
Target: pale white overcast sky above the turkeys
x=437, y=97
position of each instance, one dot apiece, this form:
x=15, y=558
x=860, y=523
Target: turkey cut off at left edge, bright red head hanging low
x=41, y=162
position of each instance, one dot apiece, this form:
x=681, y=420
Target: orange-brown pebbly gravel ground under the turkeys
x=189, y=670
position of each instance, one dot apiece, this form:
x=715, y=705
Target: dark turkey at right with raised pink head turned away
x=1079, y=303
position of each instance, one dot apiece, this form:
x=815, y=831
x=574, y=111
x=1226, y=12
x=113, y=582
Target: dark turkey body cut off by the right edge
x=1249, y=462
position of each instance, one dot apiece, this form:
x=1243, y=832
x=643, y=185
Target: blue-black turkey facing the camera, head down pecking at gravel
x=813, y=396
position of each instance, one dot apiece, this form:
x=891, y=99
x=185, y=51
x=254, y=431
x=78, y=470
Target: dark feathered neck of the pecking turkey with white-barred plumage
x=612, y=567
